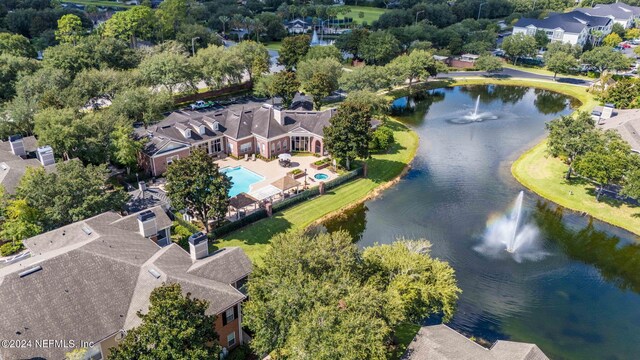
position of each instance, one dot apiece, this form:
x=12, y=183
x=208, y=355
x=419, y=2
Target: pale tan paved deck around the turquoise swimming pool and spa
x=272, y=171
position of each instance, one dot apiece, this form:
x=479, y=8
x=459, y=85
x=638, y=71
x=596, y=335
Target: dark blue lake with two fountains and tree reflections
x=574, y=292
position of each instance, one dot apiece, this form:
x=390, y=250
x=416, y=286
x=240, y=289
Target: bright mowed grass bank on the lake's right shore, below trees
x=544, y=175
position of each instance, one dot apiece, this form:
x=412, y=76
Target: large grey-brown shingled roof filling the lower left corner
x=94, y=277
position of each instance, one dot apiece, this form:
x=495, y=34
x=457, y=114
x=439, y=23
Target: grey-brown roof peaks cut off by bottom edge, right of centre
x=440, y=342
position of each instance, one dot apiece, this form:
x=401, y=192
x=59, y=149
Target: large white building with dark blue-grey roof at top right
x=573, y=27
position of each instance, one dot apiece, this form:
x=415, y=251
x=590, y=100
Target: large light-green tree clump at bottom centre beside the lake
x=334, y=301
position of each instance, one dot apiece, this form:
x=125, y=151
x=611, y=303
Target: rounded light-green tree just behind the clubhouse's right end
x=319, y=77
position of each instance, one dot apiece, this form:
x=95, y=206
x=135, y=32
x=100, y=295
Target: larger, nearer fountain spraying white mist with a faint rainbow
x=509, y=234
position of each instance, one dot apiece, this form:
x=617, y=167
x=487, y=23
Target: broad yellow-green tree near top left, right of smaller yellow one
x=137, y=22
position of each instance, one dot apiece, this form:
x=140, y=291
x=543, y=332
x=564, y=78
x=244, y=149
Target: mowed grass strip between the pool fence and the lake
x=254, y=239
